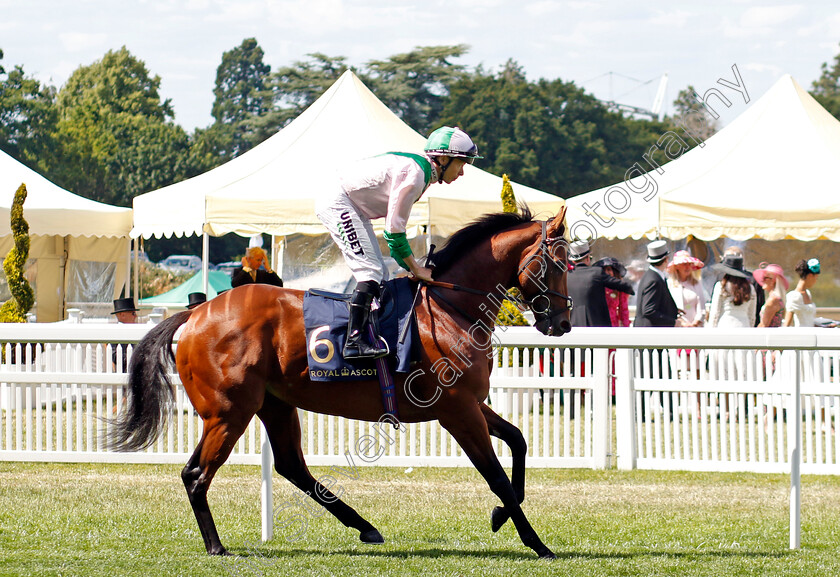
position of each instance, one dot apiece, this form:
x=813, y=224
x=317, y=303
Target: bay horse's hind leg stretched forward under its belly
x=283, y=427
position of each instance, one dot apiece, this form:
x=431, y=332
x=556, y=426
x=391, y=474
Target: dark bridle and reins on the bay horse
x=543, y=254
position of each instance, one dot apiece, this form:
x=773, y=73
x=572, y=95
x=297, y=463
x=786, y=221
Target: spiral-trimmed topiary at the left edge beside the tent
x=14, y=310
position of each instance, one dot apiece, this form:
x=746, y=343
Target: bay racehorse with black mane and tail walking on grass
x=244, y=353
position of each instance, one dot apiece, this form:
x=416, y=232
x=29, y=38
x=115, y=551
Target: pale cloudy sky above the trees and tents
x=615, y=49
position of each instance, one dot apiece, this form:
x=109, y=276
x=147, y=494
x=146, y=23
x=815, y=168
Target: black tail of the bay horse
x=150, y=394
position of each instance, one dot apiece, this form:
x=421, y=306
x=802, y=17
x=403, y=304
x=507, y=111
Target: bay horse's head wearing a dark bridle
x=542, y=278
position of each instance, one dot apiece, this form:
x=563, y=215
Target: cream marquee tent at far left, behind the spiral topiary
x=68, y=233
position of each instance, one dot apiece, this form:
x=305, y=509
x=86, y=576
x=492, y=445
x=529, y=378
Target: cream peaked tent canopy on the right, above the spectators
x=772, y=173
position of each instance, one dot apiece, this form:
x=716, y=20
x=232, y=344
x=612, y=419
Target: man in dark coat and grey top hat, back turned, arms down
x=656, y=306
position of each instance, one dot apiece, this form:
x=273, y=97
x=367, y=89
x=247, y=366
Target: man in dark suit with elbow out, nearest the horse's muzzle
x=586, y=285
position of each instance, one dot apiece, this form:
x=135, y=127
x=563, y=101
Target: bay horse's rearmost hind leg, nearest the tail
x=217, y=441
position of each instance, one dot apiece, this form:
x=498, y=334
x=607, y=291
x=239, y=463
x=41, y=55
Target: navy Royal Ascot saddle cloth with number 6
x=325, y=316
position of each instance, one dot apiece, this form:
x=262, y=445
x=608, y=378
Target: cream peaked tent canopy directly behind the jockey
x=272, y=188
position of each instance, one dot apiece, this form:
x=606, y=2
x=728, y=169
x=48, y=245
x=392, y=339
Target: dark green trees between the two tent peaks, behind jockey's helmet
x=549, y=135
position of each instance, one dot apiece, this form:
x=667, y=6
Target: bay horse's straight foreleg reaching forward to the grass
x=469, y=427
